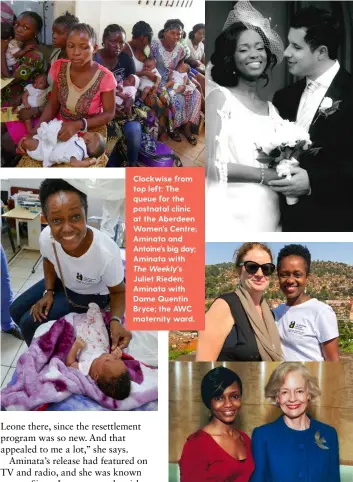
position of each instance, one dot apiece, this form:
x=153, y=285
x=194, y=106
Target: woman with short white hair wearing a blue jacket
x=295, y=446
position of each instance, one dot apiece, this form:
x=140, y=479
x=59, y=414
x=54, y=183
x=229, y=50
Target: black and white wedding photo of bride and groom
x=279, y=116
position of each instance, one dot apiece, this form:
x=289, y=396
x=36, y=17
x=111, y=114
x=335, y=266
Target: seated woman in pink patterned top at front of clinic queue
x=83, y=91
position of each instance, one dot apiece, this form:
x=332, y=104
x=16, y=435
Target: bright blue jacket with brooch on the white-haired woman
x=282, y=454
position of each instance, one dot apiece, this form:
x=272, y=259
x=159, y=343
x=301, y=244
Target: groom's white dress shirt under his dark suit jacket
x=322, y=85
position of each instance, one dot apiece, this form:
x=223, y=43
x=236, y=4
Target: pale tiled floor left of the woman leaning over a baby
x=21, y=278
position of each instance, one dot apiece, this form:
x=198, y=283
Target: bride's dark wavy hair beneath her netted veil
x=224, y=70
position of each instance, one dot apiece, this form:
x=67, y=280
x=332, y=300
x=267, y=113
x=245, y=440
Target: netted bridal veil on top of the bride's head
x=245, y=13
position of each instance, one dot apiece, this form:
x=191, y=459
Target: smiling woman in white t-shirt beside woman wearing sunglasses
x=307, y=327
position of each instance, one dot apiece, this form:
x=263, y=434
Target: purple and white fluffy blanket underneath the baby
x=43, y=377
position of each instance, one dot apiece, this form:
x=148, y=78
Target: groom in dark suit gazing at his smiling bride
x=322, y=102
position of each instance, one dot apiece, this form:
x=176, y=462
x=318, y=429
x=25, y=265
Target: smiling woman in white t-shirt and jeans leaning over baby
x=87, y=265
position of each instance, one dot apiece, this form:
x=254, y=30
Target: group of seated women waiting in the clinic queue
x=123, y=85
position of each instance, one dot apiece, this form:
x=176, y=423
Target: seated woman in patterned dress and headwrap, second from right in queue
x=168, y=52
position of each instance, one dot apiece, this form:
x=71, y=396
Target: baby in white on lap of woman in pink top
x=44, y=146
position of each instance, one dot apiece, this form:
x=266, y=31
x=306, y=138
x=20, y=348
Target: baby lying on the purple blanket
x=91, y=350
